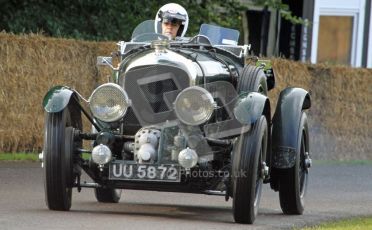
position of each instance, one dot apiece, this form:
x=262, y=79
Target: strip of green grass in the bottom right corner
x=349, y=224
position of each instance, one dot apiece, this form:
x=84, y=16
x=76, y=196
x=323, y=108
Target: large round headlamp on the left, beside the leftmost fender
x=109, y=102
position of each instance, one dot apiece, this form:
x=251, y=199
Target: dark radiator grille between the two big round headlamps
x=152, y=90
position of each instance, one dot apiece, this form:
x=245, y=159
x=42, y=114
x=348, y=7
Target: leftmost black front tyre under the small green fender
x=58, y=160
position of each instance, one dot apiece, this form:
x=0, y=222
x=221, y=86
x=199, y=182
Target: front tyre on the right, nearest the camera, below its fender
x=248, y=171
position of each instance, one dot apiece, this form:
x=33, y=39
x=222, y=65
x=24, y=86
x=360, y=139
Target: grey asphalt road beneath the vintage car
x=335, y=191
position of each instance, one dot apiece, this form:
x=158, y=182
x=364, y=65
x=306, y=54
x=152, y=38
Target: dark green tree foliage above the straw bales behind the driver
x=111, y=19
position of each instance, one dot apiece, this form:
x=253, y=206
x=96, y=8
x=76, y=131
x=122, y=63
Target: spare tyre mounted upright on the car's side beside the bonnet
x=252, y=79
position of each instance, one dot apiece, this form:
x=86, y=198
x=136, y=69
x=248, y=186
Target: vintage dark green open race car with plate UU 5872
x=186, y=115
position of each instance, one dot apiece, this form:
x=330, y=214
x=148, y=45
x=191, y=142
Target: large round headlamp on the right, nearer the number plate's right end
x=194, y=105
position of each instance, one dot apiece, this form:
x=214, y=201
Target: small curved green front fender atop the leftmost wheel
x=57, y=98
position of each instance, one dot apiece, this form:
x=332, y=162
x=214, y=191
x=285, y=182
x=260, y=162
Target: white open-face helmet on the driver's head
x=172, y=12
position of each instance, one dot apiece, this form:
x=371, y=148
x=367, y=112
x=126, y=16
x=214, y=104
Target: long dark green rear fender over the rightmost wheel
x=286, y=122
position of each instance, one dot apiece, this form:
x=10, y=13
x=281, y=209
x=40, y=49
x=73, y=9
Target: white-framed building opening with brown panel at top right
x=338, y=32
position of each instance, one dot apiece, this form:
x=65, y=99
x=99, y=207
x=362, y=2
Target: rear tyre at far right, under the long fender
x=293, y=181
